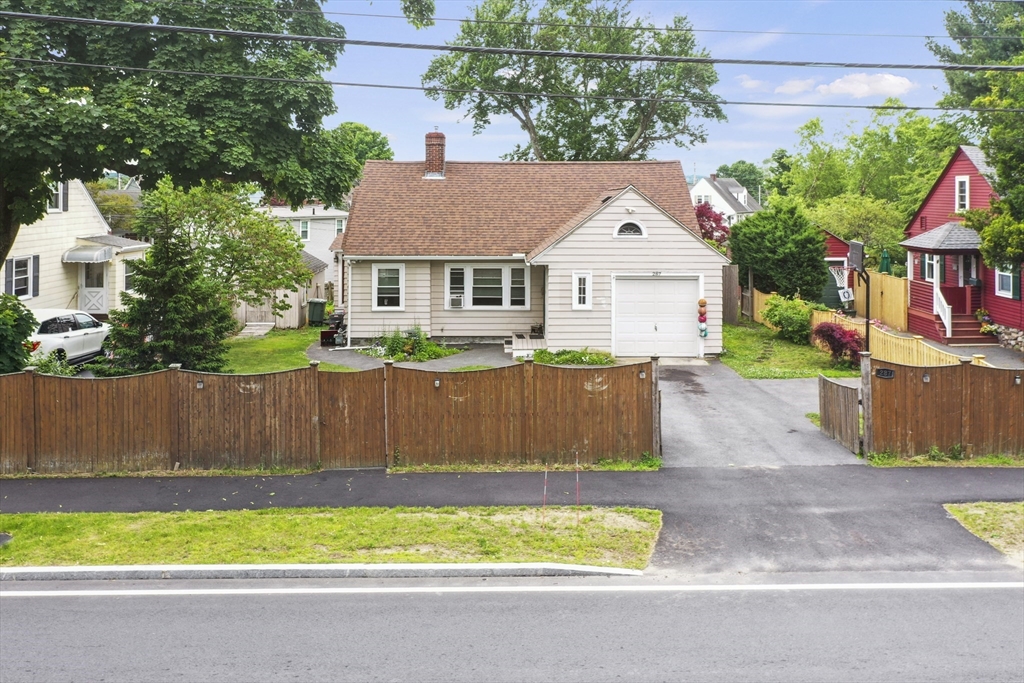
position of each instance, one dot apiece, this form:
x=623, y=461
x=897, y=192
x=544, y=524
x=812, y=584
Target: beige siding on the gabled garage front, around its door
x=592, y=247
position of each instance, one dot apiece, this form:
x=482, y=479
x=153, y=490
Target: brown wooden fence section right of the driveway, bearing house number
x=977, y=409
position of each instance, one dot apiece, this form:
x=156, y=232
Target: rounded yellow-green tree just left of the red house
x=877, y=224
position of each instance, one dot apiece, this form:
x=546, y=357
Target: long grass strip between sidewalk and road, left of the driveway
x=612, y=537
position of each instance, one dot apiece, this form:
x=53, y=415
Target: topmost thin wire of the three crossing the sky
x=554, y=25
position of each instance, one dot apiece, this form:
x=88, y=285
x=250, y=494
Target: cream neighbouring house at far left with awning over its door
x=68, y=260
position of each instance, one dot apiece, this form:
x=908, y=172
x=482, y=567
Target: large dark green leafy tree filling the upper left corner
x=59, y=123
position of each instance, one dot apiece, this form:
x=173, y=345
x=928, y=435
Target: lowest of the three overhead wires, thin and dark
x=539, y=96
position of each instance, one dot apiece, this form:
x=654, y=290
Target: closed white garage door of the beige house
x=657, y=317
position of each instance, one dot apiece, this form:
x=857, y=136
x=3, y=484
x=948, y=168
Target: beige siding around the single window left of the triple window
x=364, y=323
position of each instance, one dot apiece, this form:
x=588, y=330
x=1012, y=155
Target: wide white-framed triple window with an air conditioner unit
x=492, y=286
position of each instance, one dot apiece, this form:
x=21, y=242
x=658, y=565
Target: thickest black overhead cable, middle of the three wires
x=658, y=59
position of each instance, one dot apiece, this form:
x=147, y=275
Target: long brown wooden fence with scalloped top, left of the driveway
x=303, y=418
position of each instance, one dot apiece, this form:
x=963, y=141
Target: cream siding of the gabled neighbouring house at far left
x=50, y=238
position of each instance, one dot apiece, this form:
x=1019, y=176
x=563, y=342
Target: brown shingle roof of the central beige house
x=492, y=208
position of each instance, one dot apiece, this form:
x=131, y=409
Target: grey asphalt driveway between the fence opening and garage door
x=711, y=417
